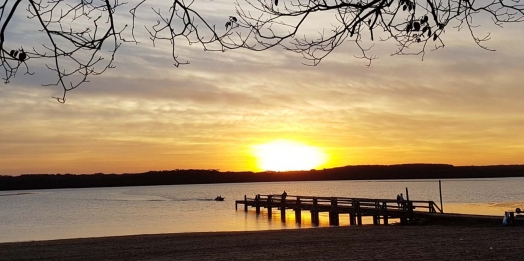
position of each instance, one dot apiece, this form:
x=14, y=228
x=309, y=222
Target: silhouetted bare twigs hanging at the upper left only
x=81, y=37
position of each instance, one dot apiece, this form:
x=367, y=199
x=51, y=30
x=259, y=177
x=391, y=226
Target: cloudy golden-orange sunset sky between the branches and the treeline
x=461, y=105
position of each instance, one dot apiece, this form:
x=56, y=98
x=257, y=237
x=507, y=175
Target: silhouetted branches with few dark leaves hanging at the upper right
x=412, y=24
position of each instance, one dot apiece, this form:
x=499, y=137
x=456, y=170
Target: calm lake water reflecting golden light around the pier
x=94, y=212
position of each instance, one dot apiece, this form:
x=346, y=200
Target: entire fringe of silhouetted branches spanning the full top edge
x=81, y=38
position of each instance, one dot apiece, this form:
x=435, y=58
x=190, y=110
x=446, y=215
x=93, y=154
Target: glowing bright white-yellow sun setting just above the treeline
x=284, y=155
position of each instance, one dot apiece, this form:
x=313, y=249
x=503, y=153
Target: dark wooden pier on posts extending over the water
x=378, y=209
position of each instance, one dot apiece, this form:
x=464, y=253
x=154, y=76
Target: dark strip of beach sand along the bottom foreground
x=434, y=242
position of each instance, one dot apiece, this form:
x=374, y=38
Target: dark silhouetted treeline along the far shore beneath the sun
x=193, y=176
